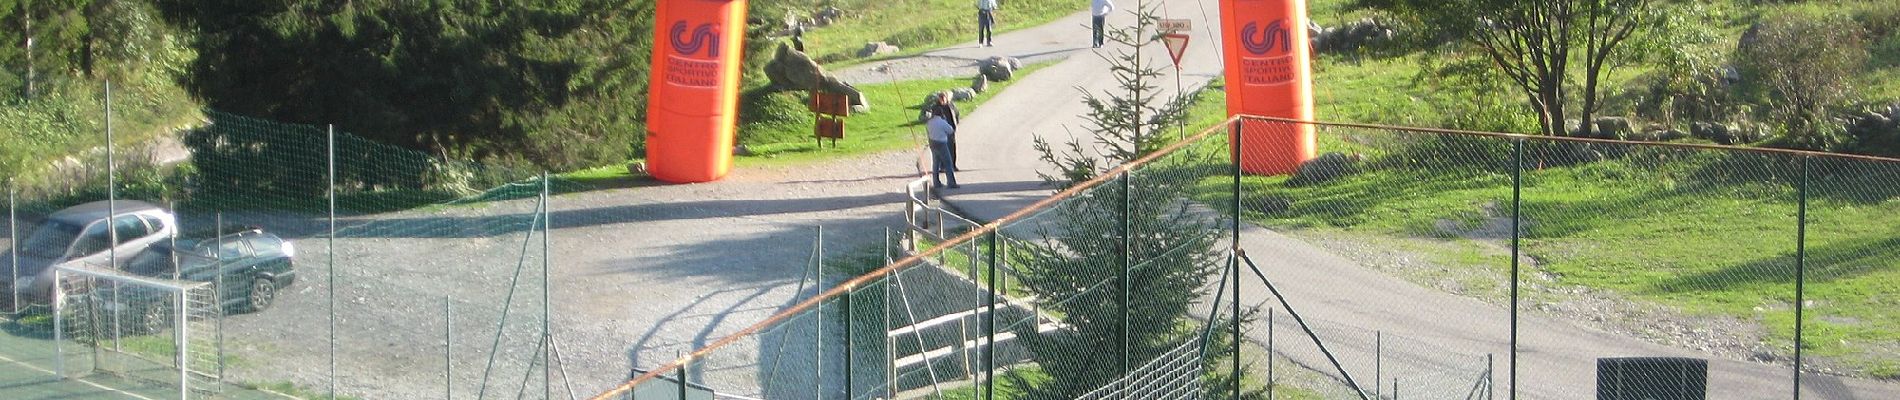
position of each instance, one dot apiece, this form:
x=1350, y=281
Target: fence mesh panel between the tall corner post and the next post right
x=1390, y=234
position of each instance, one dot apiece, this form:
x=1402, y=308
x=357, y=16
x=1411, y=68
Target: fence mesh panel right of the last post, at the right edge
x=1850, y=329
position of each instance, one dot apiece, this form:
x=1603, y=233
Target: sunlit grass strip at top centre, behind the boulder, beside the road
x=922, y=26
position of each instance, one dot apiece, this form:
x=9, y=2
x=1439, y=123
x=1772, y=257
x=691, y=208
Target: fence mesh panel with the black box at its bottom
x=1675, y=251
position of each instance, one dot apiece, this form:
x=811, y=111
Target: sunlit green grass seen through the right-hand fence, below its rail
x=1703, y=232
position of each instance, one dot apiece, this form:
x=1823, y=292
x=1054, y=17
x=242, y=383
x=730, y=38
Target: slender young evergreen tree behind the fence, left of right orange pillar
x=1137, y=240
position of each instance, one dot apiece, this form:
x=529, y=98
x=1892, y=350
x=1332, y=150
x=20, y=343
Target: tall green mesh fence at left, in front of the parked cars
x=328, y=264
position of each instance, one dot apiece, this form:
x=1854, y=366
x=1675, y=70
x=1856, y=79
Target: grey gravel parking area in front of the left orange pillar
x=639, y=276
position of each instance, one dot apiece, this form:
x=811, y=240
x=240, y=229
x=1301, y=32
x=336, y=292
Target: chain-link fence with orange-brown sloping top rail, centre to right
x=1399, y=264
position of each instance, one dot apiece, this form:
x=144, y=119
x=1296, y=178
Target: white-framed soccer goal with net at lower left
x=151, y=331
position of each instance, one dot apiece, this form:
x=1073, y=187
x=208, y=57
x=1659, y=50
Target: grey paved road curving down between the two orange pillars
x=1447, y=333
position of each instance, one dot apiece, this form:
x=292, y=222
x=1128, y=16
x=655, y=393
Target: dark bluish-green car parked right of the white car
x=248, y=268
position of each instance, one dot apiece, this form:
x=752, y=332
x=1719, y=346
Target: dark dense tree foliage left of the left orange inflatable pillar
x=556, y=82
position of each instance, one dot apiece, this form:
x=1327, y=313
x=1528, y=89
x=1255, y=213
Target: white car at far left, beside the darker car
x=83, y=236
